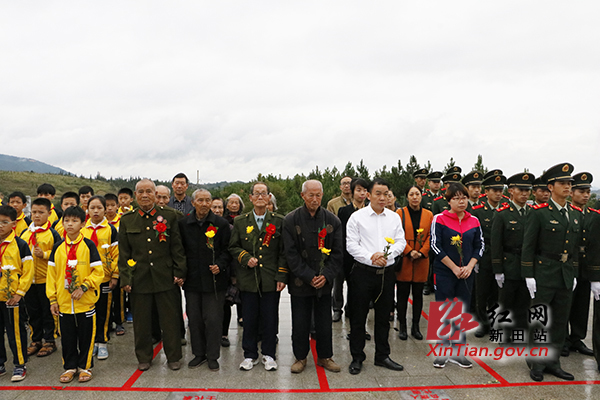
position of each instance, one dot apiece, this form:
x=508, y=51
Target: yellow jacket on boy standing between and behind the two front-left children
x=45, y=238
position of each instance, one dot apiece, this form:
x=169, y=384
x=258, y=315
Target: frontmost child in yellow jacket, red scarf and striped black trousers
x=75, y=273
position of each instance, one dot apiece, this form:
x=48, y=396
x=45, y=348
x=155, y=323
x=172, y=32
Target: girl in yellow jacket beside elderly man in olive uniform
x=104, y=236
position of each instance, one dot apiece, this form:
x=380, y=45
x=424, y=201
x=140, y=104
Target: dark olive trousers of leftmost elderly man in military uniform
x=167, y=305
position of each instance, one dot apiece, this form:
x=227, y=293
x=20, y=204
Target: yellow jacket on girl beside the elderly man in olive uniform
x=108, y=247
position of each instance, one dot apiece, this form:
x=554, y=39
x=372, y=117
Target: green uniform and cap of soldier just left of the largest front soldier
x=508, y=227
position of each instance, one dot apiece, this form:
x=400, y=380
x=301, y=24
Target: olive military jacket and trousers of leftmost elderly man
x=158, y=259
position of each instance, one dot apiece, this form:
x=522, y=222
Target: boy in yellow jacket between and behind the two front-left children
x=40, y=238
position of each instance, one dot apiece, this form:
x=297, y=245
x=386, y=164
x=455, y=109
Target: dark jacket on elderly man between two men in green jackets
x=199, y=256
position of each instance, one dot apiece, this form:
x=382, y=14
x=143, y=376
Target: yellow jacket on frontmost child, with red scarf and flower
x=88, y=272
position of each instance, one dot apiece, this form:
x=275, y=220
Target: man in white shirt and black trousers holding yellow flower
x=374, y=237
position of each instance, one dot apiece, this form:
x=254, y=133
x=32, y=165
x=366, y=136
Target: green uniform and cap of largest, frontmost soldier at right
x=550, y=256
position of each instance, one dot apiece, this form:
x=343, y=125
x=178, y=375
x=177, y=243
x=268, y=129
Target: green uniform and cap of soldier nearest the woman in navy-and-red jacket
x=486, y=294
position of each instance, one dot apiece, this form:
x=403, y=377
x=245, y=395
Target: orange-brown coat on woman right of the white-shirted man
x=415, y=270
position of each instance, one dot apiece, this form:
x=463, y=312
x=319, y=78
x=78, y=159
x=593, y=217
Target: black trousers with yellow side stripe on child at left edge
x=13, y=320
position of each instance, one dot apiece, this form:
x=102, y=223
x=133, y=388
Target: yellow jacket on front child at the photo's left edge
x=17, y=267
